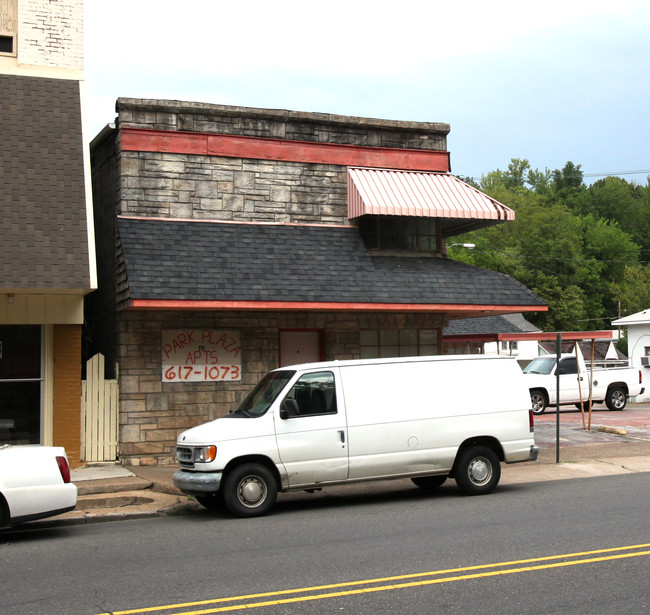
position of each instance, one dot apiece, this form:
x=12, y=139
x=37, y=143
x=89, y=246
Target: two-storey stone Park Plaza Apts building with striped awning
x=233, y=240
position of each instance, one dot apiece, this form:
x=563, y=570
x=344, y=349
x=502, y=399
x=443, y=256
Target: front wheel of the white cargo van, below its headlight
x=249, y=490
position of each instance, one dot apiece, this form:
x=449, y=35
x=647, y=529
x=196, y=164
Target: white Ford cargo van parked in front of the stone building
x=307, y=426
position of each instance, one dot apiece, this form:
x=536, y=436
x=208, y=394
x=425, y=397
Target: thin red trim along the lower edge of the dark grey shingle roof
x=177, y=304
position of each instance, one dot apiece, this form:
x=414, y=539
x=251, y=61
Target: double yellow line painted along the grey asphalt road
x=419, y=579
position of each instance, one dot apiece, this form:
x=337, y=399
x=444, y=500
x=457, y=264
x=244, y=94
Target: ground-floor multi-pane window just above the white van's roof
x=386, y=343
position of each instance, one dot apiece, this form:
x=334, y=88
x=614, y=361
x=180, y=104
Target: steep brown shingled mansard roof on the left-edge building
x=45, y=240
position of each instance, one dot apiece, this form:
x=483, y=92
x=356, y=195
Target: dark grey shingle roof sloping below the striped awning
x=205, y=261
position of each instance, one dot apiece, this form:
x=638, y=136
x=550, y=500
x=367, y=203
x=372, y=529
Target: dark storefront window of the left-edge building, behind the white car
x=20, y=384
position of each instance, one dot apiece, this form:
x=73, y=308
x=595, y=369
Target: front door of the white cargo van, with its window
x=313, y=444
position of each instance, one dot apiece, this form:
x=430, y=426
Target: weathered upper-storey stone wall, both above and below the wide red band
x=219, y=188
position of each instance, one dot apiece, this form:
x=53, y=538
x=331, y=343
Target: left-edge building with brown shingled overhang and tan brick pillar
x=47, y=260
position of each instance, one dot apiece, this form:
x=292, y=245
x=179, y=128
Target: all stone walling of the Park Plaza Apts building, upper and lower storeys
x=168, y=185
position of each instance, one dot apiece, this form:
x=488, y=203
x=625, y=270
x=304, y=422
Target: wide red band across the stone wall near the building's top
x=204, y=144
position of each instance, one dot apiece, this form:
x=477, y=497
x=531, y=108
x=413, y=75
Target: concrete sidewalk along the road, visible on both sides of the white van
x=110, y=492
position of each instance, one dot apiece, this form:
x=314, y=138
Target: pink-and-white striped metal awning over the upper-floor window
x=390, y=192
